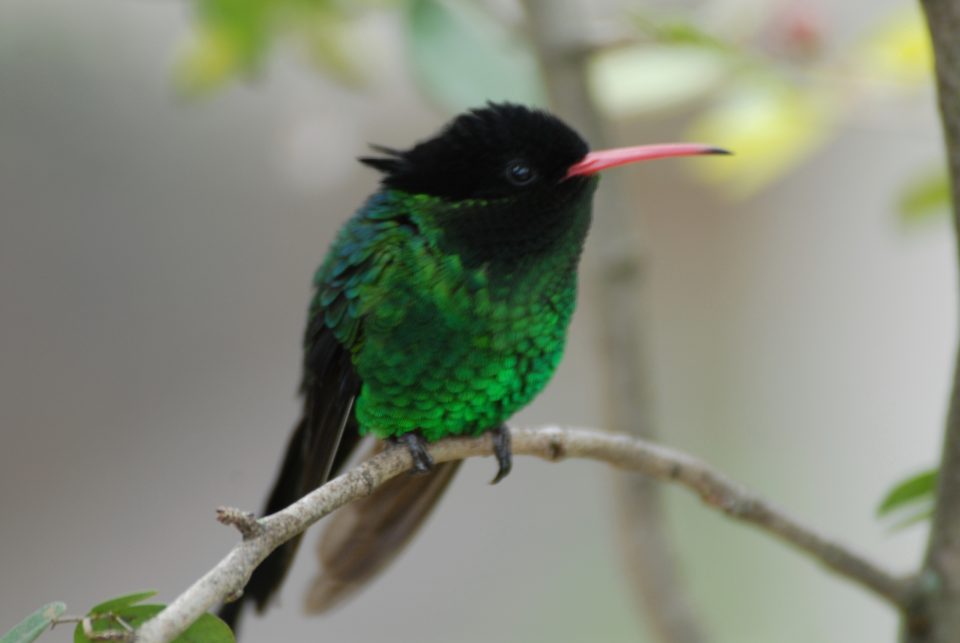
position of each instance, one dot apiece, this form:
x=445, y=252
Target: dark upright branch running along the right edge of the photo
x=935, y=615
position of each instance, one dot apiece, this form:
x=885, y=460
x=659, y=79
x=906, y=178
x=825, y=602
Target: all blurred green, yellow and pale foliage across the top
x=772, y=91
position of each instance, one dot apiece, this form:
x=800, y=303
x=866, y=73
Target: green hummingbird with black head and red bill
x=441, y=309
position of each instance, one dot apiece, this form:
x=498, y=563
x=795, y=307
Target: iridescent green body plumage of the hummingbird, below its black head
x=444, y=342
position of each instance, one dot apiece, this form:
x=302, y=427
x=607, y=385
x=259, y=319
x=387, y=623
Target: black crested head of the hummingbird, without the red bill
x=497, y=151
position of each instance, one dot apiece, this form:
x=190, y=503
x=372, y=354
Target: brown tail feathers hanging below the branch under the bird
x=364, y=537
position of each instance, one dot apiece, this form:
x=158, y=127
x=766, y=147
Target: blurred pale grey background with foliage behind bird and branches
x=171, y=173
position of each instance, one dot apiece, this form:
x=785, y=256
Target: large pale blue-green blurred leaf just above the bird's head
x=462, y=57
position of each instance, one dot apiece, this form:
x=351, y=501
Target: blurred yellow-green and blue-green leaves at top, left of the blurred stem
x=461, y=55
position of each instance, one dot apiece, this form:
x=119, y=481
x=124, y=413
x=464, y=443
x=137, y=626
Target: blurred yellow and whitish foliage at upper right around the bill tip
x=772, y=94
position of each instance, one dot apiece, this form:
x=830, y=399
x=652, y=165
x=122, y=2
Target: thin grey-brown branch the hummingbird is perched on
x=229, y=576
